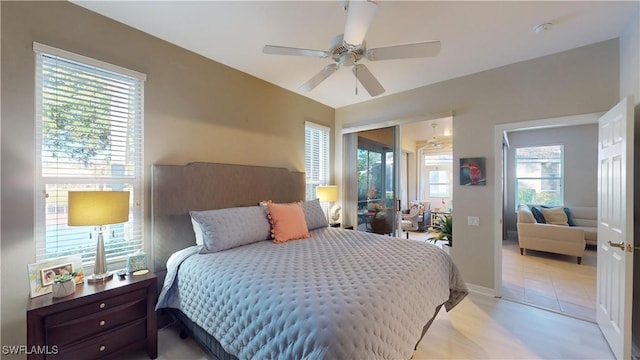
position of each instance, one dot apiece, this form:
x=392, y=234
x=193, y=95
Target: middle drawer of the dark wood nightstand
x=65, y=332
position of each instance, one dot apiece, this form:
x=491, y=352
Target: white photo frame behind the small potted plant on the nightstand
x=40, y=273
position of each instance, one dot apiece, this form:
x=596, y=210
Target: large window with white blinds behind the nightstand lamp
x=89, y=119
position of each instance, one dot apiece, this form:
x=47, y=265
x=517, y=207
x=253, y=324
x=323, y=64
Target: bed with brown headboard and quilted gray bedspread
x=336, y=294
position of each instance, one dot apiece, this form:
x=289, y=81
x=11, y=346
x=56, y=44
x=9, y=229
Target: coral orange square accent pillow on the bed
x=287, y=222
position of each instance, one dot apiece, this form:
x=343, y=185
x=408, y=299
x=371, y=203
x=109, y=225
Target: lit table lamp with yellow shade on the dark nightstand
x=98, y=208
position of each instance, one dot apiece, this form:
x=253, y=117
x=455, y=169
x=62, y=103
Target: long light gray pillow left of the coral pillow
x=223, y=229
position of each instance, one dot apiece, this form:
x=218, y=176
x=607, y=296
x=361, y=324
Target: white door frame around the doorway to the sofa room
x=499, y=130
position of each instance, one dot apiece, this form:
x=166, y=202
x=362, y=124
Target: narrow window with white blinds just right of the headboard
x=316, y=157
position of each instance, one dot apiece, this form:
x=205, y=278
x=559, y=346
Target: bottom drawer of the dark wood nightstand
x=104, y=345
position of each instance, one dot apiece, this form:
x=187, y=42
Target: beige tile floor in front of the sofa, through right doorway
x=551, y=281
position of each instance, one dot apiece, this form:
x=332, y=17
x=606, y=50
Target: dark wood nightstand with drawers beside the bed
x=99, y=320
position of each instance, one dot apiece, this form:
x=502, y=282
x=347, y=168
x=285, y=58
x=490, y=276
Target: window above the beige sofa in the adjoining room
x=539, y=176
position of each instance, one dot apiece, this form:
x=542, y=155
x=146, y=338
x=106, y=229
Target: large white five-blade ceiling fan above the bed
x=349, y=48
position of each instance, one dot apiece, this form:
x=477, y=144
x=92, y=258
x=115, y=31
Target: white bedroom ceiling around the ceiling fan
x=475, y=36
